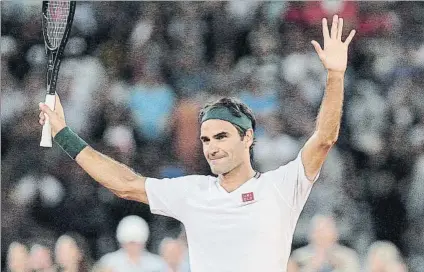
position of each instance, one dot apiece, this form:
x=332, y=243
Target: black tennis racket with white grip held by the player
x=57, y=22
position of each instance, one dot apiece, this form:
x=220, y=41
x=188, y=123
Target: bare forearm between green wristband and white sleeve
x=117, y=177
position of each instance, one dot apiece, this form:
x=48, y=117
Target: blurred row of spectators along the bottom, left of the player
x=71, y=253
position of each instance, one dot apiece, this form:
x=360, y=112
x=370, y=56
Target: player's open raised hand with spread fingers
x=334, y=55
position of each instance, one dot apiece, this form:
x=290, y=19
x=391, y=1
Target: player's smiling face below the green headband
x=222, y=146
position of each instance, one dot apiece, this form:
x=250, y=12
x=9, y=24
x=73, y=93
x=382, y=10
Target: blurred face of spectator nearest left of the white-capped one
x=67, y=252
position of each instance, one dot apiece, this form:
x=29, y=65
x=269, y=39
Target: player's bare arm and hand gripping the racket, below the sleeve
x=115, y=176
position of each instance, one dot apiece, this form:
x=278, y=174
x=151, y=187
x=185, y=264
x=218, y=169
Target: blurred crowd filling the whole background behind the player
x=133, y=78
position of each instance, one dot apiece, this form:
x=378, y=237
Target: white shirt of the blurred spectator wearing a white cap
x=118, y=261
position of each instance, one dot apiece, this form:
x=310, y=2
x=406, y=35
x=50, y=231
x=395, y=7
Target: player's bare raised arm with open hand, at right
x=334, y=58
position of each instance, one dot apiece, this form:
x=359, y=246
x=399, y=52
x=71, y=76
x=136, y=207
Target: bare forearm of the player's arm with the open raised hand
x=329, y=116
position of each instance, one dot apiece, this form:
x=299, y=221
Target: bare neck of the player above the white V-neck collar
x=236, y=177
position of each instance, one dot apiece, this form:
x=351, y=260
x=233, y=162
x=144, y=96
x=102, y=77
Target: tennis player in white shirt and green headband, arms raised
x=241, y=220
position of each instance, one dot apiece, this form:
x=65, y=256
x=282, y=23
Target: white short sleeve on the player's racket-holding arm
x=168, y=196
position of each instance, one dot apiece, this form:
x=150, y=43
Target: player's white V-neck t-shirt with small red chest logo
x=248, y=229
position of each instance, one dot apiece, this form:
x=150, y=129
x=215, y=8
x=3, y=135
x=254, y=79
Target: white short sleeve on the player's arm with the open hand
x=292, y=184
